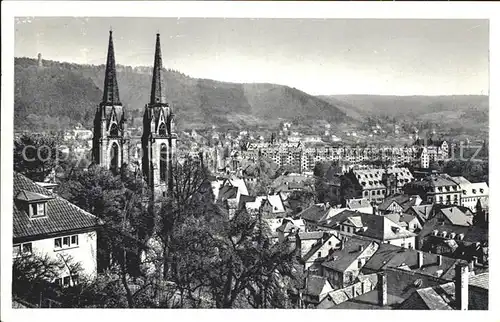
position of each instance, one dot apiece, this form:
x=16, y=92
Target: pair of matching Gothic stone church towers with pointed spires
x=110, y=145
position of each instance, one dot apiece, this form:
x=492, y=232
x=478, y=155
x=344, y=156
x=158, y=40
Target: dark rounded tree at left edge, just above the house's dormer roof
x=36, y=156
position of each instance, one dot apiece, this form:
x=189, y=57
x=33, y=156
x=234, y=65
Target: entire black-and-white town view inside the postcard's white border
x=187, y=162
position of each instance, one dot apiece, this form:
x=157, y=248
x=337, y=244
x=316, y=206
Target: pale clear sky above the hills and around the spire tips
x=318, y=56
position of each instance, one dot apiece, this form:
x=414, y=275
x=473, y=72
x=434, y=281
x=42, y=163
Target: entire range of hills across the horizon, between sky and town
x=60, y=95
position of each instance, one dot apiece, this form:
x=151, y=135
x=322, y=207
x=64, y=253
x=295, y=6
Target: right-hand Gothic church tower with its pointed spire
x=158, y=137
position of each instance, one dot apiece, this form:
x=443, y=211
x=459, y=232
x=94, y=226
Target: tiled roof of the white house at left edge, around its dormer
x=61, y=214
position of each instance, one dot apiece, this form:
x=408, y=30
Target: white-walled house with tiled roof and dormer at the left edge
x=44, y=223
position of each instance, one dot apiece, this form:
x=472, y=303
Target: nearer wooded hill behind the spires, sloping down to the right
x=63, y=93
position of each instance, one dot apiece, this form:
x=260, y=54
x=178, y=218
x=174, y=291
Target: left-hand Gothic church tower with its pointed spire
x=109, y=144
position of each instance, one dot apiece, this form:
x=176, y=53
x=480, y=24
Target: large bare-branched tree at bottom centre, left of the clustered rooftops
x=240, y=266
